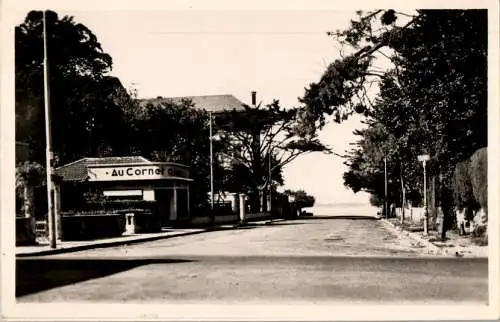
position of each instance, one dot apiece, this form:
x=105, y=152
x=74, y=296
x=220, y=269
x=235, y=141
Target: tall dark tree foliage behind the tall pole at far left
x=86, y=116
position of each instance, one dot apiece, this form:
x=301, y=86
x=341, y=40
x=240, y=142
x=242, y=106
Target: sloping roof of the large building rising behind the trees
x=210, y=103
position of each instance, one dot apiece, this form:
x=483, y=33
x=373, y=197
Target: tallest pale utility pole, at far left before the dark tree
x=48, y=138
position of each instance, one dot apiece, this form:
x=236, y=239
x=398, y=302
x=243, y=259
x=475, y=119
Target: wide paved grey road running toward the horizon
x=317, y=259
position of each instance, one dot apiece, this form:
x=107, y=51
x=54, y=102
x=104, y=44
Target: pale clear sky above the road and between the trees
x=275, y=53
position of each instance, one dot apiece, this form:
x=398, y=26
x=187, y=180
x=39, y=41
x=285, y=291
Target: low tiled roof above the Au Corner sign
x=77, y=170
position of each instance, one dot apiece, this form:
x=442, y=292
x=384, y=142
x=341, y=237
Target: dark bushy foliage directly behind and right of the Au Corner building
x=177, y=132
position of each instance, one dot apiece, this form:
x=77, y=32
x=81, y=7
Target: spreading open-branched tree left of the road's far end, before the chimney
x=264, y=139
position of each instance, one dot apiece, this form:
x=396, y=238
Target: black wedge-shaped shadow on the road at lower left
x=35, y=275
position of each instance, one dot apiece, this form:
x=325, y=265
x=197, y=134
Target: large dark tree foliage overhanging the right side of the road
x=429, y=101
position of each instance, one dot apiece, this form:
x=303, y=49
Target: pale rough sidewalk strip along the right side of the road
x=454, y=245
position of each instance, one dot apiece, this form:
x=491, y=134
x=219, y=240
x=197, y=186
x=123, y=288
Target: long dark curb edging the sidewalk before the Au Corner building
x=108, y=244
